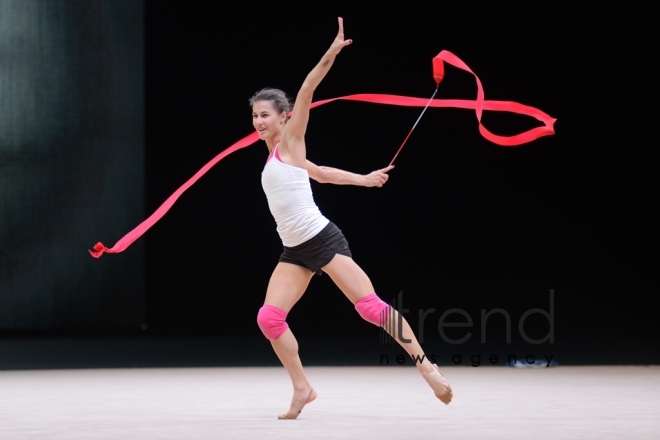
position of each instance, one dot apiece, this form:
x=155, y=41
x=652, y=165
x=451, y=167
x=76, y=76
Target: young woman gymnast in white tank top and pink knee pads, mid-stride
x=312, y=243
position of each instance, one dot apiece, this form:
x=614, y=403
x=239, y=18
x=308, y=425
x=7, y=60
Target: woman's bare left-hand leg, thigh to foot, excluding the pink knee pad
x=286, y=286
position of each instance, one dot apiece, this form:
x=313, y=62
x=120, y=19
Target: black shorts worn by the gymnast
x=319, y=250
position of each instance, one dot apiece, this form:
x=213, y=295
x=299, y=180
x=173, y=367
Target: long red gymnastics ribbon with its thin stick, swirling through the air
x=479, y=105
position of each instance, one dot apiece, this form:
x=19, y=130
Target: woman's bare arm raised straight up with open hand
x=293, y=136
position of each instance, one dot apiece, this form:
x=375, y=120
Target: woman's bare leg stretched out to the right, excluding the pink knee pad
x=356, y=285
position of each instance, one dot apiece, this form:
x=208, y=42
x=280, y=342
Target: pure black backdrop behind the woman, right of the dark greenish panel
x=462, y=222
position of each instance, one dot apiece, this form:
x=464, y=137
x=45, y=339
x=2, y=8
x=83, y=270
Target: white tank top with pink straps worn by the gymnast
x=290, y=199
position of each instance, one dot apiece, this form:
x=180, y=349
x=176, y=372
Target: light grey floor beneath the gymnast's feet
x=598, y=402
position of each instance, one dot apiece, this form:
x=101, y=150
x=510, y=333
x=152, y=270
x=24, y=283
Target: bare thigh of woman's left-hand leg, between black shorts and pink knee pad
x=287, y=285
